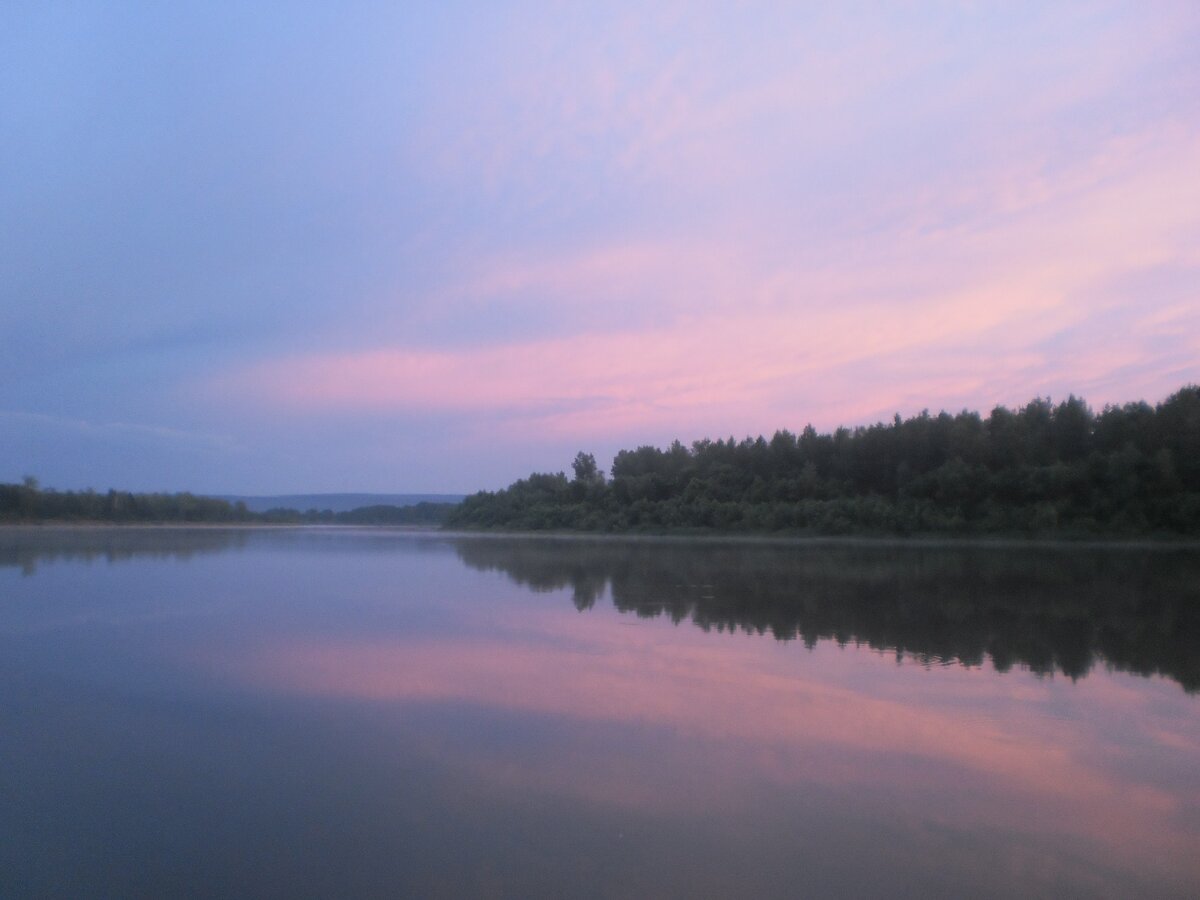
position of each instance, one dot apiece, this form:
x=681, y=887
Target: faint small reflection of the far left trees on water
x=26, y=548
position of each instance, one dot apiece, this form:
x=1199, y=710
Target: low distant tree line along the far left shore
x=28, y=502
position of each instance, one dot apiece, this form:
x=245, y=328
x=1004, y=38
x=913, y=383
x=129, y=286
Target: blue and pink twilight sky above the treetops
x=280, y=248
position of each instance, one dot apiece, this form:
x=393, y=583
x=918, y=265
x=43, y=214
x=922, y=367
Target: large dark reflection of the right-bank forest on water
x=1051, y=608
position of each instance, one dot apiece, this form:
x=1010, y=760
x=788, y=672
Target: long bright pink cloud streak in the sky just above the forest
x=753, y=369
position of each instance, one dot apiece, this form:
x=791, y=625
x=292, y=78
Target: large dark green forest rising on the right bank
x=1042, y=470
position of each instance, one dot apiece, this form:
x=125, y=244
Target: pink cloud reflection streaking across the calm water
x=965, y=748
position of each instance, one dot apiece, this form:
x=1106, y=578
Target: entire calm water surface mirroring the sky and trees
x=339, y=713
